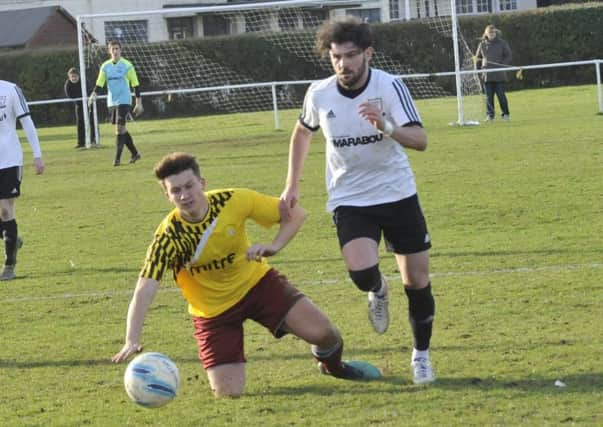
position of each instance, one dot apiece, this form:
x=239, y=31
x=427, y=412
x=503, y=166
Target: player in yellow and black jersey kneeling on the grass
x=225, y=278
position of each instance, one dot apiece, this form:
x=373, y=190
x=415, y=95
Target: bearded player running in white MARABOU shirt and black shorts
x=368, y=118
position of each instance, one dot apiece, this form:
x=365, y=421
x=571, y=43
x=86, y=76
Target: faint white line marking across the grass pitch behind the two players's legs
x=562, y=268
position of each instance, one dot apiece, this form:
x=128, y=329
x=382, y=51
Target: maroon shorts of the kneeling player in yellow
x=220, y=338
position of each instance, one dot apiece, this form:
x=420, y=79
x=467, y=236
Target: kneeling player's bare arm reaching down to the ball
x=139, y=305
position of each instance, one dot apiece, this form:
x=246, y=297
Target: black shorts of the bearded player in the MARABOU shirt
x=402, y=224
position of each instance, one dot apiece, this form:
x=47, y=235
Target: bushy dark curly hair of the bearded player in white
x=349, y=30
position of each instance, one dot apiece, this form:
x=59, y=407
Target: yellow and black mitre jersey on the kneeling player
x=208, y=258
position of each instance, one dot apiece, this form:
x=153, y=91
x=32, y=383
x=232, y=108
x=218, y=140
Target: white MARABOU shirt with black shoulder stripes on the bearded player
x=364, y=167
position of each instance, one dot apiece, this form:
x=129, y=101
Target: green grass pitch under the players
x=515, y=211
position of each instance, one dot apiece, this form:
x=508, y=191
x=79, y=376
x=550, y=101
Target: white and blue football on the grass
x=151, y=380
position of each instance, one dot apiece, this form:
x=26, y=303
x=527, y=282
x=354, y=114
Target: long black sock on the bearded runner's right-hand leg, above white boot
x=421, y=310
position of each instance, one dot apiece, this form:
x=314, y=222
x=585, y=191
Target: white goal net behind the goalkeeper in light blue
x=186, y=68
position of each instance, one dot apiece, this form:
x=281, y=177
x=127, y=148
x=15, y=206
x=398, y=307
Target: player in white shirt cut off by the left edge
x=13, y=106
